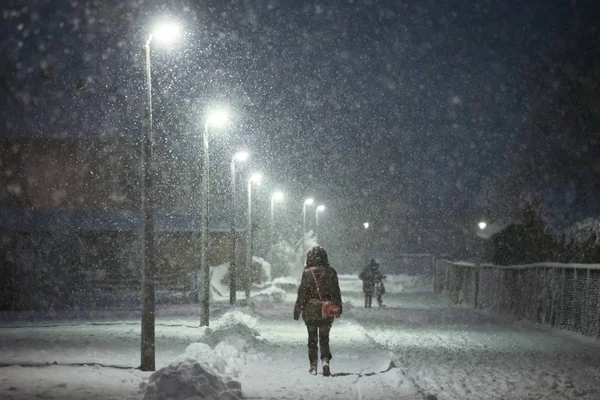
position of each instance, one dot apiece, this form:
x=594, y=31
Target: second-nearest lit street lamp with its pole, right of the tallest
x=216, y=118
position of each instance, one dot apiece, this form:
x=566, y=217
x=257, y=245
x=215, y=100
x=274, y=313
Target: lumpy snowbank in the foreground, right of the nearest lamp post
x=206, y=368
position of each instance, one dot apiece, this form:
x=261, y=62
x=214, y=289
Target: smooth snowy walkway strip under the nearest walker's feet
x=361, y=368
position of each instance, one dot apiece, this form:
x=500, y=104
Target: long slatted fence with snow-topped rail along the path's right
x=562, y=295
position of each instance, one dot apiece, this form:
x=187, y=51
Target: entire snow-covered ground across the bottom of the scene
x=418, y=347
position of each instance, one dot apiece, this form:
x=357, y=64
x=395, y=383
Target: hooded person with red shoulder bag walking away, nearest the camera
x=319, y=283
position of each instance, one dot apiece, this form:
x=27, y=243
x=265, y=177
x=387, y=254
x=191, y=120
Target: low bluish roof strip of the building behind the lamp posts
x=35, y=220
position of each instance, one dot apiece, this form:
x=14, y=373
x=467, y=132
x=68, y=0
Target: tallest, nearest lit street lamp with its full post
x=163, y=33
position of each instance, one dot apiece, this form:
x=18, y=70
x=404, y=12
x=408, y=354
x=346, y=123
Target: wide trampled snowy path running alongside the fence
x=456, y=353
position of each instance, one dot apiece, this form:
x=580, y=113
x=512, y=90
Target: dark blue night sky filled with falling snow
x=388, y=111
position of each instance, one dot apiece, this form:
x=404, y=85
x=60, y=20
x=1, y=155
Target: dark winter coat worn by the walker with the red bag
x=307, y=302
